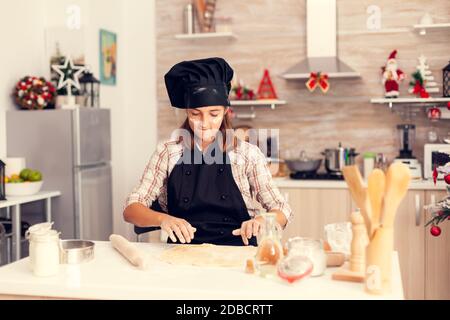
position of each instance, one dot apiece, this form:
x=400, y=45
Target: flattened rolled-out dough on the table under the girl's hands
x=208, y=255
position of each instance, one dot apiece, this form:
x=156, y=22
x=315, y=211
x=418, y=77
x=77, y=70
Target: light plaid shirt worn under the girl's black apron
x=249, y=168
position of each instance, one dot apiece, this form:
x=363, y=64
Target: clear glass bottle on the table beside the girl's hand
x=270, y=250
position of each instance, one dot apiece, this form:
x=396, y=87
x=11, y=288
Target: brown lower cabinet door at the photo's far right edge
x=437, y=256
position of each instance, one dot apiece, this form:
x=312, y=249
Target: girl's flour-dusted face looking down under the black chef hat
x=206, y=121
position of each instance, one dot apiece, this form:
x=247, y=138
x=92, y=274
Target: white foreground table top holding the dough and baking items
x=110, y=276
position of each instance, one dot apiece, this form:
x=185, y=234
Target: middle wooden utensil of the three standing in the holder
x=376, y=188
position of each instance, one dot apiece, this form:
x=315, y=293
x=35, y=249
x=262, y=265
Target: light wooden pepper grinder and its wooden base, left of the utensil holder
x=355, y=270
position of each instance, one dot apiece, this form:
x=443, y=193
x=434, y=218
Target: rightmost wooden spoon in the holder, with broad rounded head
x=398, y=178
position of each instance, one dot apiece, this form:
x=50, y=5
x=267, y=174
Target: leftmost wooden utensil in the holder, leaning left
x=359, y=194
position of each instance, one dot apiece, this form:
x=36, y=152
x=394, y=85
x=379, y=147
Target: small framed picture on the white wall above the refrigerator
x=108, y=57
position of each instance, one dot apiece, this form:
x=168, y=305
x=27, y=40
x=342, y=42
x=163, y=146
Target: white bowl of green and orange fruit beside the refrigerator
x=26, y=183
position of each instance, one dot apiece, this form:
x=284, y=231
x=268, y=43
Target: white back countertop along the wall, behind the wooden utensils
x=341, y=184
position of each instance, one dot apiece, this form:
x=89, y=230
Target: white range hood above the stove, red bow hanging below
x=321, y=44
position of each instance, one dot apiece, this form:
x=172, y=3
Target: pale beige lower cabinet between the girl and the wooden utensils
x=313, y=209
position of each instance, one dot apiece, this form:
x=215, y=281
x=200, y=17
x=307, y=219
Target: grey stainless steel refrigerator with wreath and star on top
x=72, y=149
